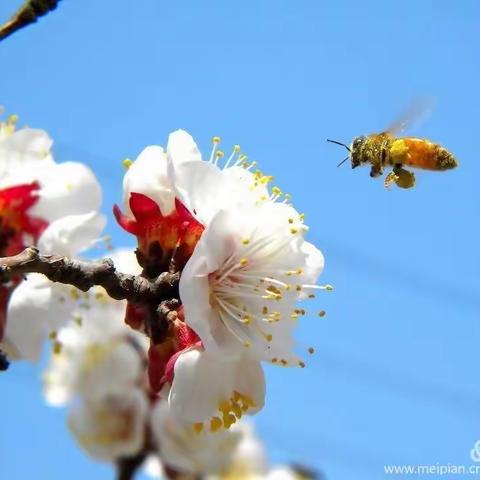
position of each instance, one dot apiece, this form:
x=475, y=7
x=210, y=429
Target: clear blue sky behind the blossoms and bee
x=394, y=378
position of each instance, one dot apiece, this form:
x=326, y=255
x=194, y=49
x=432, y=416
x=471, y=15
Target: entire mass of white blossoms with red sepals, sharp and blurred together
x=245, y=266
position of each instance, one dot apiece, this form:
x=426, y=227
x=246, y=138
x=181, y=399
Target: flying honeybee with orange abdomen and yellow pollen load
x=386, y=149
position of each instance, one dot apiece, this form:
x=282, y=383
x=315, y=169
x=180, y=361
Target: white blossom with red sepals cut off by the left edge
x=52, y=205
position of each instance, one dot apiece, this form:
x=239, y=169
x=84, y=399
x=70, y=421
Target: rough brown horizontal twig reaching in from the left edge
x=84, y=275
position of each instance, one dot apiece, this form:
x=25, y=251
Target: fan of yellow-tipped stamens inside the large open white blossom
x=253, y=290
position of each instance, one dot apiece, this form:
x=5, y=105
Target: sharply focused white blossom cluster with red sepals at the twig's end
x=246, y=265
